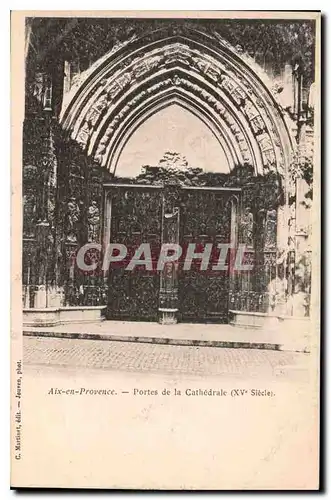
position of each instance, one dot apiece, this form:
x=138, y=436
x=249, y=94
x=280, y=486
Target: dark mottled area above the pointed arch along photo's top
x=273, y=41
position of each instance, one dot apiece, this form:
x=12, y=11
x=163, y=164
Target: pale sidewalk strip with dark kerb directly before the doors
x=208, y=335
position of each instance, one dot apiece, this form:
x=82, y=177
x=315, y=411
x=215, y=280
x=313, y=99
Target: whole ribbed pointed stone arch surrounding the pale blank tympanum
x=236, y=105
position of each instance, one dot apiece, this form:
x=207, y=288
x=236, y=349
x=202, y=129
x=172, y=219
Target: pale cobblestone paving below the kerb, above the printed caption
x=170, y=359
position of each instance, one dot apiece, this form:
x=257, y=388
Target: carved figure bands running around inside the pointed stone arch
x=221, y=76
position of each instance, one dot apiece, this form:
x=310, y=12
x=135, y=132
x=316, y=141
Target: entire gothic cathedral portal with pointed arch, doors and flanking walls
x=82, y=109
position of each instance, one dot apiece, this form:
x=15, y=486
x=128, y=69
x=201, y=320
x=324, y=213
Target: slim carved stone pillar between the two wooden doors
x=168, y=301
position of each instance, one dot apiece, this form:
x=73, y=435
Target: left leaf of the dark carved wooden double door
x=136, y=214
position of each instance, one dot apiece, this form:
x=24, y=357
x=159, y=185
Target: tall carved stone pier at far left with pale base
x=40, y=134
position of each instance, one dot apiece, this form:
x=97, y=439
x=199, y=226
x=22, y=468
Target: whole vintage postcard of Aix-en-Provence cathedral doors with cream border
x=165, y=250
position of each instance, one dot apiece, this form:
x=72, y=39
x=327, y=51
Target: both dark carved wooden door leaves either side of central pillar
x=136, y=218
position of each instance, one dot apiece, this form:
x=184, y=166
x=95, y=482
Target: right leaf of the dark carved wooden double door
x=205, y=217
